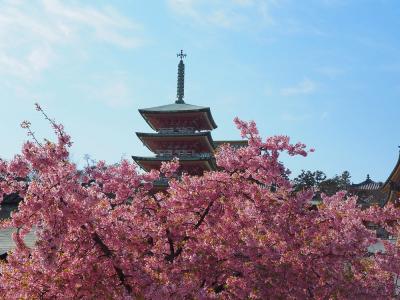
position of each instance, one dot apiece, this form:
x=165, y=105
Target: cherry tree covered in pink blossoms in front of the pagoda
x=241, y=232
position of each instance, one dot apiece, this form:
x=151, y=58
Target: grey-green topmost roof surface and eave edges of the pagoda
x=177, y=108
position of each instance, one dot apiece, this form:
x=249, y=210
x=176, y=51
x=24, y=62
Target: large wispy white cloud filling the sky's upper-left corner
x=32, y=33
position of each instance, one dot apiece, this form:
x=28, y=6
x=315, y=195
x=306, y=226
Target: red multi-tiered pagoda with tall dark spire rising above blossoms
x=182, y=130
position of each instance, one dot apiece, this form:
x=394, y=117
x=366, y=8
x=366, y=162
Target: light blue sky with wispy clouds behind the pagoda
x=324, y=72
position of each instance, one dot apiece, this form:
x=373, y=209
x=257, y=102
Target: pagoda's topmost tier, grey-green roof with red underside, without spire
x=179, y=115
